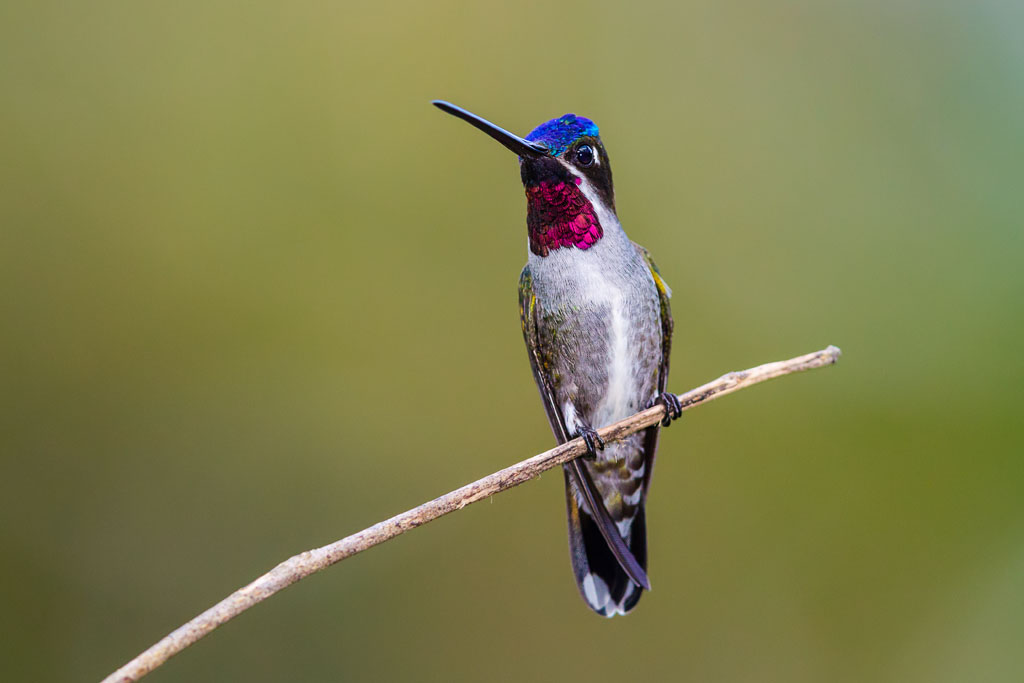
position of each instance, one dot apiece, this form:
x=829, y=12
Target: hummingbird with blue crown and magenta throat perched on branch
x=599, y=330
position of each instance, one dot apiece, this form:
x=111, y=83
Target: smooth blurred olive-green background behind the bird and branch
x=259, y=294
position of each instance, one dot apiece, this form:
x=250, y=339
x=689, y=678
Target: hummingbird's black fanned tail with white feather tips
x=603, y=583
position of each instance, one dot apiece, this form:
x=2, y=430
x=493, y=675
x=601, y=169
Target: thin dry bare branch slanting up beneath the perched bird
x=312, y=562
